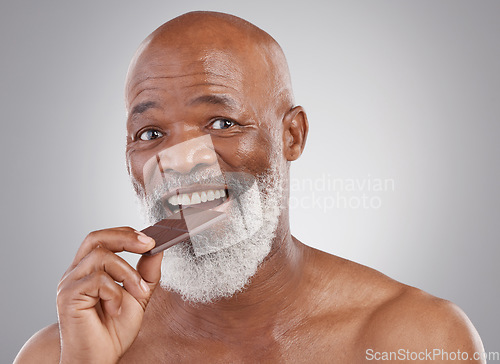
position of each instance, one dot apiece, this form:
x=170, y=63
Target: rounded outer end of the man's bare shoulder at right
x=414, y=323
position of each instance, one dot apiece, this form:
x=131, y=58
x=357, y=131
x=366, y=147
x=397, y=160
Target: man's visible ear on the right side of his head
x=295, y=128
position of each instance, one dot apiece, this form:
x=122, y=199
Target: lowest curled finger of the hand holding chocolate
x=84, y=294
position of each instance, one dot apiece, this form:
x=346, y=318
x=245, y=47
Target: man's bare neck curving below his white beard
x=258, y=310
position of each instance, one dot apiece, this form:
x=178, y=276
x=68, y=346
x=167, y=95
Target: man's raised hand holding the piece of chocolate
x=99, y=319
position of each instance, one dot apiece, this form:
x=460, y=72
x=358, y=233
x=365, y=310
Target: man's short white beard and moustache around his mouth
x=205, y=278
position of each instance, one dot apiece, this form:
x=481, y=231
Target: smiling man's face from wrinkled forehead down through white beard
x=175, y=99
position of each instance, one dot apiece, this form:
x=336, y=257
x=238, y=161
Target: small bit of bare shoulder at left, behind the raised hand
x=44, y=347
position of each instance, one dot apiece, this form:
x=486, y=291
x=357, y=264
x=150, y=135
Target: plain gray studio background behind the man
x=405, y=92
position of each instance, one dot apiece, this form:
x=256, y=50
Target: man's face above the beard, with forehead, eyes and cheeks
x=177, y=95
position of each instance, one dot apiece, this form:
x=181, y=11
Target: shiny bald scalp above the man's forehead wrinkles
x=225, y=46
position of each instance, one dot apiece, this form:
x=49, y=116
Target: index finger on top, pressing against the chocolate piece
x=115, y=240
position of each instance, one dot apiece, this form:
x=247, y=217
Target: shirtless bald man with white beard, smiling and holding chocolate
x=210, y=105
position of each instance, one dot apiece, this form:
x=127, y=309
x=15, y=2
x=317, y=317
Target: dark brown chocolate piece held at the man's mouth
x=179, y=226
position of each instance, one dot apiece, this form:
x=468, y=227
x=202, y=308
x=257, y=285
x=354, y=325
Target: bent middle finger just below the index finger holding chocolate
x=101, y=259
